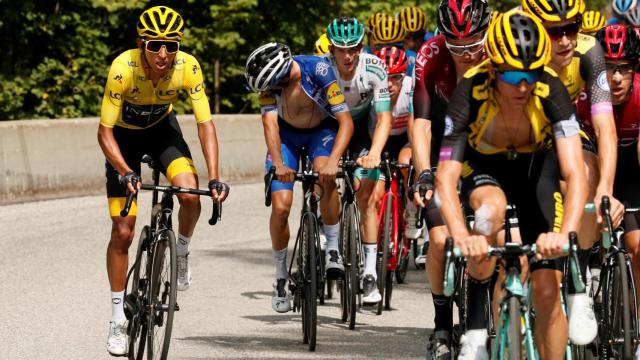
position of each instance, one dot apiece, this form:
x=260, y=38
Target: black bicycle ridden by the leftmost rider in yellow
x=152, y=301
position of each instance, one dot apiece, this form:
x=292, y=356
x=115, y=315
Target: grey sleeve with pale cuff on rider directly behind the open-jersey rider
x=593, y=70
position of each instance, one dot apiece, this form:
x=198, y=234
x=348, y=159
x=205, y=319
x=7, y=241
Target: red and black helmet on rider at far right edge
x=619, y=42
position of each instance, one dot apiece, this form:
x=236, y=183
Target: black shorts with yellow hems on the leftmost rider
x=163, y=142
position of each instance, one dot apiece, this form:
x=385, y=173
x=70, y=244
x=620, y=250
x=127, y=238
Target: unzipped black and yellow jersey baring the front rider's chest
x=473, y=107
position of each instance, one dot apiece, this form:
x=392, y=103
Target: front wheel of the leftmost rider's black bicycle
x=163, y=292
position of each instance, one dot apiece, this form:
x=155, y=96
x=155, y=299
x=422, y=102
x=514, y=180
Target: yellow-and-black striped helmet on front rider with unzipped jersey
x=518, y=39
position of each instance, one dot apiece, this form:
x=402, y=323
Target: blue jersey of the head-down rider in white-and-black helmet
x=318, y=82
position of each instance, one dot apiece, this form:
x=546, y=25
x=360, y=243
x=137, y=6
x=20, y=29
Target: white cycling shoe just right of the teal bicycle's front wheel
x=583, y=327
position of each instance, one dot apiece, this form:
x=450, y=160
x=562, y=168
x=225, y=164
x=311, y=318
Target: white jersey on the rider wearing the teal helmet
x=367, y=87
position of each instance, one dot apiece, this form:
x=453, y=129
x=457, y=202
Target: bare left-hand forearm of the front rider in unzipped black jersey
x=447, y=188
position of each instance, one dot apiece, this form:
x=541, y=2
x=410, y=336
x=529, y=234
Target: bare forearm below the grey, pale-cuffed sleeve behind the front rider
x=605, y=129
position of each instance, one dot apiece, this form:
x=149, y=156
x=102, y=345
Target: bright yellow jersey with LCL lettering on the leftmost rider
x=132, y=101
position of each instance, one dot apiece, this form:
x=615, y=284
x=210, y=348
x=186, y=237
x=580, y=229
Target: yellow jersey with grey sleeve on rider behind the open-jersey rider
x=587, y=71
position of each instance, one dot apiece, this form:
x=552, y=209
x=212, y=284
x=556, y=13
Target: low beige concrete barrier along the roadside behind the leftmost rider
x=41, y=159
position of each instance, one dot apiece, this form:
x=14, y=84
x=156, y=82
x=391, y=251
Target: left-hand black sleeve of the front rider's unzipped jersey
x=456, y=122
